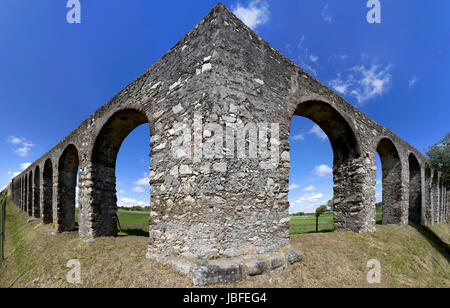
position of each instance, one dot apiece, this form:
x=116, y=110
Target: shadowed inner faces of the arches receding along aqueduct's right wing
x=426, y=191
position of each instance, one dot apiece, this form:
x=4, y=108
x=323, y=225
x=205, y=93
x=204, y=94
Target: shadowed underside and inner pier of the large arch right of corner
x=346, y=201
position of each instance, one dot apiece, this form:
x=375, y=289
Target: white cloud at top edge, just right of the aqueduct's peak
x=256, y=14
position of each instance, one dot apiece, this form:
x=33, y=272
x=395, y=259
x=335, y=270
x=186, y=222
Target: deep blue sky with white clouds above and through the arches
x=54, y=75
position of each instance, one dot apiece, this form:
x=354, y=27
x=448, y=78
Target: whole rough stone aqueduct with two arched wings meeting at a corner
x=223, y=218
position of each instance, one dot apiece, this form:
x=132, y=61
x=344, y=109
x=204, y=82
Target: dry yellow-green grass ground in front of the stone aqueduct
x=409, y=256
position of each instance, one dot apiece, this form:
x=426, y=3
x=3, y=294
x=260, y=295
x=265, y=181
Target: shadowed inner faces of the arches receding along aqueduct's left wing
x=50, y=192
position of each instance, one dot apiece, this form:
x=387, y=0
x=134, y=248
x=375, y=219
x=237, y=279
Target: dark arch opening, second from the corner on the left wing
x=67, y=183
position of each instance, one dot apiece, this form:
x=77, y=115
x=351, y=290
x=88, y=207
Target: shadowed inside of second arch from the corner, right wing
x=393, y=213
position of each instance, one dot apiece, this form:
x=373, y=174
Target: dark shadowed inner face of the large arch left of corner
x=104, y=156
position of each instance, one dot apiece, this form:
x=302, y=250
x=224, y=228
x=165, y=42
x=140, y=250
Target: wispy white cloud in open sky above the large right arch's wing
x=363, y=82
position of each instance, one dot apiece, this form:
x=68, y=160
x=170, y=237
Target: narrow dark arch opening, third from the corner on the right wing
x=415, y=190
